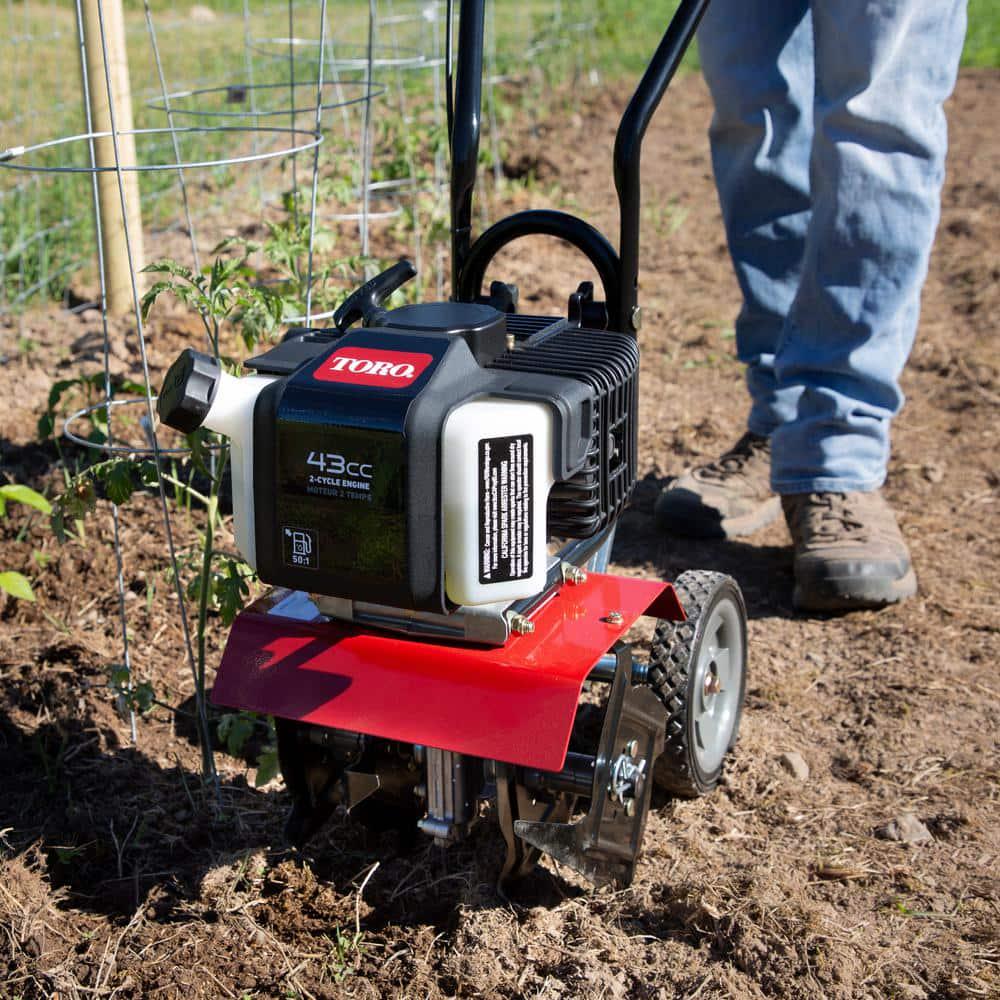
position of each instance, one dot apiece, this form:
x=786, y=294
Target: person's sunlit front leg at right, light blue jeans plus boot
x=883, y=70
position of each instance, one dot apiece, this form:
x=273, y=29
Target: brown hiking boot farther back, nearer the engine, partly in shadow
x=723, y=499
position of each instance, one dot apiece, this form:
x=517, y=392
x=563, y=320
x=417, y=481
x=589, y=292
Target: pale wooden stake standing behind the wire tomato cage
x=117, y=273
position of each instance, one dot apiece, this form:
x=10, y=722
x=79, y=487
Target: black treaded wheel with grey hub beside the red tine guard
x=698, y=669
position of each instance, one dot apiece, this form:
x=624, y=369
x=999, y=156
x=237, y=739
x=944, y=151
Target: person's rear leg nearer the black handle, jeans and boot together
x=757, y=56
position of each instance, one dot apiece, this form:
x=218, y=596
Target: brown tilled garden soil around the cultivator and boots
x=120, y=877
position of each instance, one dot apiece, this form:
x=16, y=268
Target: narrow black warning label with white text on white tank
x=505, y=508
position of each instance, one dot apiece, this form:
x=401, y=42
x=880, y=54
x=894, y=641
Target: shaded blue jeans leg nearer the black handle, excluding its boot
x=757, y=57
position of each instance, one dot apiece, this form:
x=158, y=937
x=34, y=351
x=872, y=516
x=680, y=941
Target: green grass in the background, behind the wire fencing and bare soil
x=41, y=86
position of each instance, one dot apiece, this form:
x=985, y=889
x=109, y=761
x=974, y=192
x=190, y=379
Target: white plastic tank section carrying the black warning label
x=496, y=458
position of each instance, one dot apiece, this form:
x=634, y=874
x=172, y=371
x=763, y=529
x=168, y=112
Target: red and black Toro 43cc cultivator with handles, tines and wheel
x=432, y=491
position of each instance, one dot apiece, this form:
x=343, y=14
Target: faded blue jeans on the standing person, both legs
x=828, y=146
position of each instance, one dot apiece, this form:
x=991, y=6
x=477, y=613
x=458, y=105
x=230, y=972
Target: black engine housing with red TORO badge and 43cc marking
x=382, y=540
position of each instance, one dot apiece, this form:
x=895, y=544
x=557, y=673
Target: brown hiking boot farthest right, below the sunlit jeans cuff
x=849, y=552
